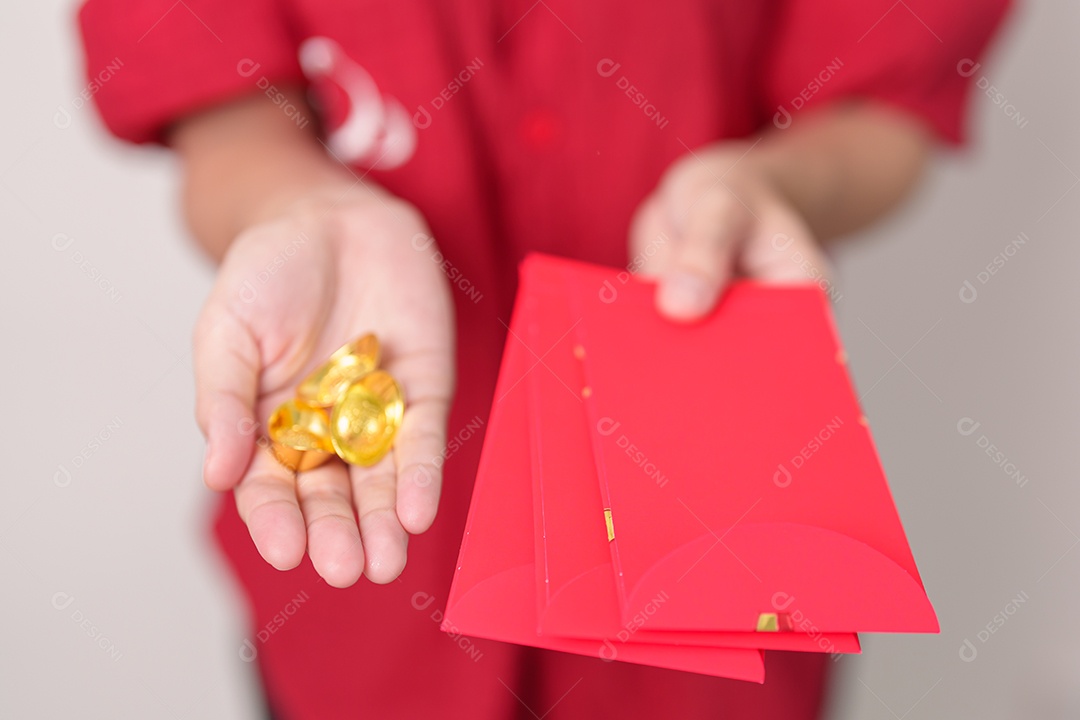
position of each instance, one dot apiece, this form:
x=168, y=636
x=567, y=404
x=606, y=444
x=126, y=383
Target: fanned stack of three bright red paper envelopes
x=679, y=496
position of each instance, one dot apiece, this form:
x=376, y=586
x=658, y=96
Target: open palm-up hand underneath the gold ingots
x=290, y=293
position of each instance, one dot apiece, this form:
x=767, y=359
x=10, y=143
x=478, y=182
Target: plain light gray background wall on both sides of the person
x=117, y=606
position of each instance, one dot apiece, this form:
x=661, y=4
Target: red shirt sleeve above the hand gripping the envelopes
x=917, y=56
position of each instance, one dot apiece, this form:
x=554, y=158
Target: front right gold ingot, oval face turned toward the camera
x=364, y=423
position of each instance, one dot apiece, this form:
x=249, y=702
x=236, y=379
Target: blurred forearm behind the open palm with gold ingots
x=244, y=162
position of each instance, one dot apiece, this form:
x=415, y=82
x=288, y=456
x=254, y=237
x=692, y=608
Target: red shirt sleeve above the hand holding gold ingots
x=168, y=59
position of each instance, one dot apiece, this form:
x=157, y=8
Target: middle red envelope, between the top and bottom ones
x=576, y=587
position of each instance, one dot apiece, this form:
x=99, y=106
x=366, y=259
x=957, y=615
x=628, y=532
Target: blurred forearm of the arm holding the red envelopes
x=844, y=168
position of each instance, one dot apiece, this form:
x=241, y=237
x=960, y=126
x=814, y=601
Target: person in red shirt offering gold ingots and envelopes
x=383, y=168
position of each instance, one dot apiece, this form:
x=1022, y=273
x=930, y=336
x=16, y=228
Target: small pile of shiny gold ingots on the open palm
x=347, y=409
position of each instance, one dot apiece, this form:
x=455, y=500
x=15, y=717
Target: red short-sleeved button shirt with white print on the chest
x=514, y=127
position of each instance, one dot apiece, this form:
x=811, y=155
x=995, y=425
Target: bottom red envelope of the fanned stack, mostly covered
x=494, y=591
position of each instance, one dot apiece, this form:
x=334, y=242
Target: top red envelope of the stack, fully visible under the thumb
x=738, y=468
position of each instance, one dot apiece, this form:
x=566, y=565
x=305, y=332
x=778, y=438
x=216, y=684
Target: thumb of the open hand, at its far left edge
x=227, y=366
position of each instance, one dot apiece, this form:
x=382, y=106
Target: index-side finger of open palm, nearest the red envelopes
x=418, y=454
